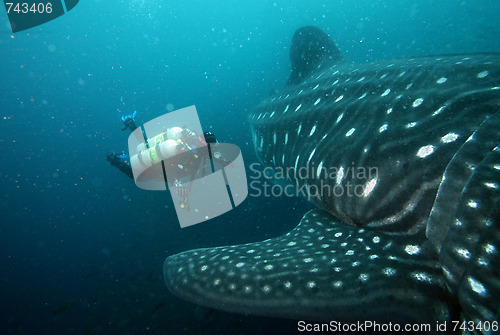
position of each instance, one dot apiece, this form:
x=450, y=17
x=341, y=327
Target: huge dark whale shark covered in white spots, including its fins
x=402, y=160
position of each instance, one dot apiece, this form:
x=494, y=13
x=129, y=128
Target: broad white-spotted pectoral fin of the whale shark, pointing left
x=320, y=270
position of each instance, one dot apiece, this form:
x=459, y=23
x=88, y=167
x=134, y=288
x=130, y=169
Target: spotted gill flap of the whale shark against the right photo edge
x=470, y=255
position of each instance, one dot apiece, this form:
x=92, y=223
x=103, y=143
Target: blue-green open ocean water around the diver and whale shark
x=81, y=247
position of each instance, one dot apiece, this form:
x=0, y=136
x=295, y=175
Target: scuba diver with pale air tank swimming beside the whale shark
x=181, y=150
